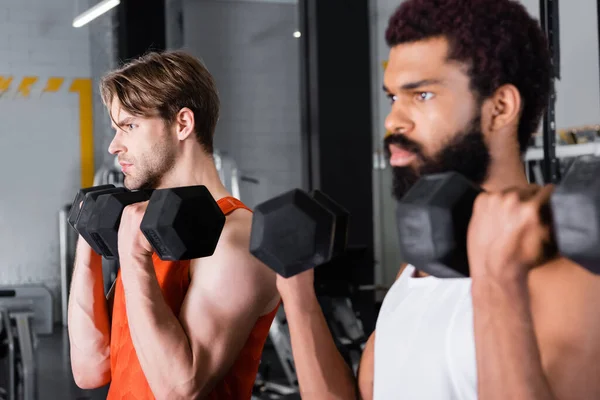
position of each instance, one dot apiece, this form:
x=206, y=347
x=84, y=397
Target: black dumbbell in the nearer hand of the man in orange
x=180, y=223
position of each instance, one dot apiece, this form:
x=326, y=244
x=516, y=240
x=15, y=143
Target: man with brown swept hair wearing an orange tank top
x=169, y=329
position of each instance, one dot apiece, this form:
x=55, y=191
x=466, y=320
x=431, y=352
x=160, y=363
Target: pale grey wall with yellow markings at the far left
x=45, y=92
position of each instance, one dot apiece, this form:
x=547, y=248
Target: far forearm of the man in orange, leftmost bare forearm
x=88, y=321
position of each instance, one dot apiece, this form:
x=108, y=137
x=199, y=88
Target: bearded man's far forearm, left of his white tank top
x=321, y=369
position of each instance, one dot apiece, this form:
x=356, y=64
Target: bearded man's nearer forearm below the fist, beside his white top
x=508, y=358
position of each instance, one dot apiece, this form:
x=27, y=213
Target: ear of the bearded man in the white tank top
x=505, y=107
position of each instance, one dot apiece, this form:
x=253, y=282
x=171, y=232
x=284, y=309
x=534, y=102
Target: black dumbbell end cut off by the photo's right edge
x=576, y=213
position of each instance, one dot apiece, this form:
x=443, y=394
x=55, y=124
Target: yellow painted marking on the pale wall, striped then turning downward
x=81, y=86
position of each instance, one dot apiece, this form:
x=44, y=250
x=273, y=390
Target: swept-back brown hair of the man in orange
x=160, y=85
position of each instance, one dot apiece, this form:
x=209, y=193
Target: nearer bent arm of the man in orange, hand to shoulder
x=229, y=291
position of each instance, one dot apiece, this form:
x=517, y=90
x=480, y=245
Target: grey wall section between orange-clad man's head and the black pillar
x=250, y=49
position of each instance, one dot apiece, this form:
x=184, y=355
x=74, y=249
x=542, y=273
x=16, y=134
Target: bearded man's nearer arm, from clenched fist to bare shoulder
x=549, y=355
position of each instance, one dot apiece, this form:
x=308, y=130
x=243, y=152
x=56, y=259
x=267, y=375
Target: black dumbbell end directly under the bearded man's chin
x=433, y=218
